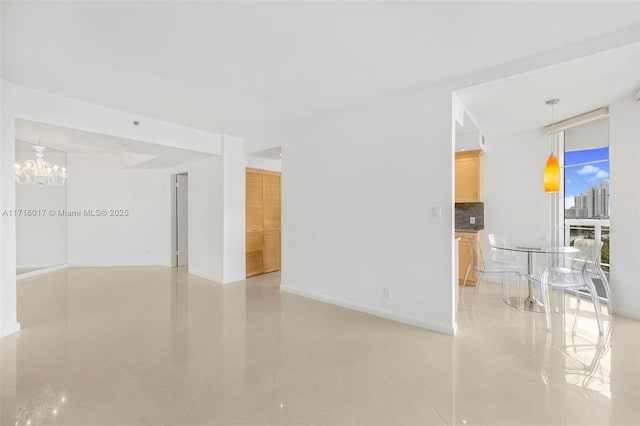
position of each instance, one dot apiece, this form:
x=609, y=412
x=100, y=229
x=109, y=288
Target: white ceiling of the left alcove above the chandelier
x=148, y=155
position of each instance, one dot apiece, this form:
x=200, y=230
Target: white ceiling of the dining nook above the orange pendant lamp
x=518, y=103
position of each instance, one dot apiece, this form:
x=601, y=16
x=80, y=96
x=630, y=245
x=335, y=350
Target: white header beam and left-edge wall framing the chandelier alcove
x=29, y=104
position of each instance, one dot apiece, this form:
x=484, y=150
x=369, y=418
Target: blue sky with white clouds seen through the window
x=583, y=169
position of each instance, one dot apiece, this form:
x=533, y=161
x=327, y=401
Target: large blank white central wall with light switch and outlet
x=358, y=190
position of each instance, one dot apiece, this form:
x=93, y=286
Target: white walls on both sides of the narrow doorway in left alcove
x=216, y=213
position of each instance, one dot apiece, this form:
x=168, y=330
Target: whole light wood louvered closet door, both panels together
x=263, y=238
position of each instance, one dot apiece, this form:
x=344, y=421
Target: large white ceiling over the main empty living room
x=239, y=66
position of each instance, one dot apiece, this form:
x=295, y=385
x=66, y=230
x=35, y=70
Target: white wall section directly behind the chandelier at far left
x=41, y=240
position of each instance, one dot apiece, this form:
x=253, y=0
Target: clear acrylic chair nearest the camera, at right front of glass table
x=570, y=272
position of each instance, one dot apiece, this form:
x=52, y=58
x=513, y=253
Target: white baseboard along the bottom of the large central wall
x=393, y=316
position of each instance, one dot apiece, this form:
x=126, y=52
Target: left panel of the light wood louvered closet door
x=254, y=227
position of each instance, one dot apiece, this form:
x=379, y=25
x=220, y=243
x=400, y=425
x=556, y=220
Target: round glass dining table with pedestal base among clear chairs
x=530, y=303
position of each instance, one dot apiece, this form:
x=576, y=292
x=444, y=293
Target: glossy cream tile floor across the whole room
x=155, y=346
